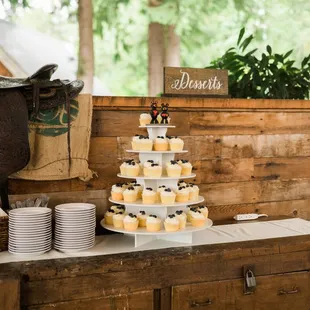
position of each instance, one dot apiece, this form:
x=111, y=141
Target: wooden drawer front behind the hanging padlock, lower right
x=285, y=292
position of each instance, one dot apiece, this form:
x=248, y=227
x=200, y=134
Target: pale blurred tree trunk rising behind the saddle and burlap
x=86, y=45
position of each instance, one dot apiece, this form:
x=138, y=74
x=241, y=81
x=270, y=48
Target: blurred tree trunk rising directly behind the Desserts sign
x=172, y=50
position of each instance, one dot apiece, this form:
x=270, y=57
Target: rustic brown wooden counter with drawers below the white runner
x=205, y=276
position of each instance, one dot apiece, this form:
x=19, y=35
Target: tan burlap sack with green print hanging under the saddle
x=49, y=148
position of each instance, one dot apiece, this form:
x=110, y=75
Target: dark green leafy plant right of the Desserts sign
x=273, y=76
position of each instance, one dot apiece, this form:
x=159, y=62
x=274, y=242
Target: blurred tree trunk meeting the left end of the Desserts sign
x=156, y=47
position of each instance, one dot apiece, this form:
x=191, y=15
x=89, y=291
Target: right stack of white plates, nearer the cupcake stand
x=75, y=227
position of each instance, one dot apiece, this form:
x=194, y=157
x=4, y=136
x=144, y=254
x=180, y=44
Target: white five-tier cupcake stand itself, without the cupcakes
x=141, y=235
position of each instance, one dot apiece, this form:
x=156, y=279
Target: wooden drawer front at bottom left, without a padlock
x=139, y=300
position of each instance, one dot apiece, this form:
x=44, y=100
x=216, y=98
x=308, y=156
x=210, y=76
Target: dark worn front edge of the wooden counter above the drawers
x=69, y=267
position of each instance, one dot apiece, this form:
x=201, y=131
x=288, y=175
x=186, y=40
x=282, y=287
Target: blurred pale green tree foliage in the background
x=205, y=28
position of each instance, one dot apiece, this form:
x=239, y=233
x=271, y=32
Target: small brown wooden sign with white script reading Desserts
x=190, y=81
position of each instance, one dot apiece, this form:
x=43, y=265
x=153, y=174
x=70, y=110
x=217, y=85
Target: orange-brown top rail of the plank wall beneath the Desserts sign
x=194, y=103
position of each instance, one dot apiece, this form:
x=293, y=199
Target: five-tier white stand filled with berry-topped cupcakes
x=165, y=214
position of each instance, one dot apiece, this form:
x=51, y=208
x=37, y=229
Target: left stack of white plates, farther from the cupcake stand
x=30, y=230
